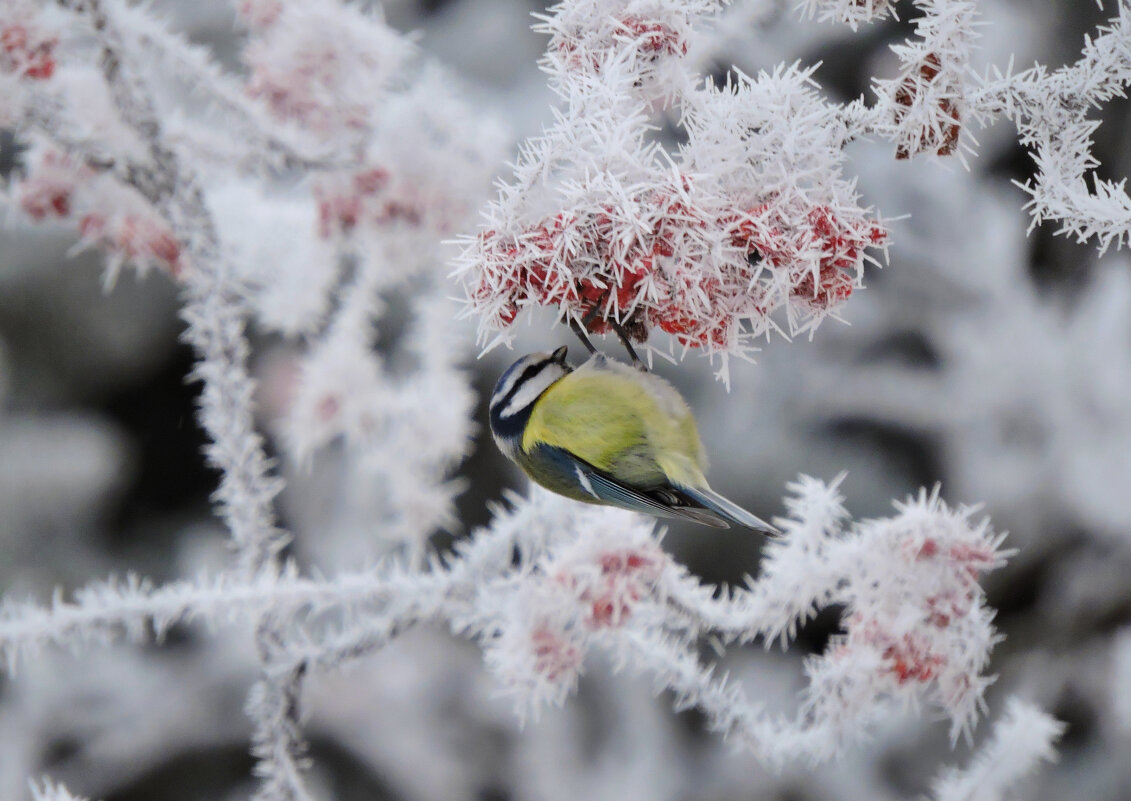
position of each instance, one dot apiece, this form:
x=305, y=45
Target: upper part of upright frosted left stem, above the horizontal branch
x=213, y=313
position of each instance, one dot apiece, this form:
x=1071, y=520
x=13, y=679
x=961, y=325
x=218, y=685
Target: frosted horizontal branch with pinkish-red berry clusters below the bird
x=916, y=622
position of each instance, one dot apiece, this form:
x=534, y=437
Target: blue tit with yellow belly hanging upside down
x=609, y=434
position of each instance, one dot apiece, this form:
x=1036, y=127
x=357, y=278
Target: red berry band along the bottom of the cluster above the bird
x=647, y=270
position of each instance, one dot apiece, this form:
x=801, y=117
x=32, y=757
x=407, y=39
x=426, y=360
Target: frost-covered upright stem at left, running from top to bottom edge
x=217, y=324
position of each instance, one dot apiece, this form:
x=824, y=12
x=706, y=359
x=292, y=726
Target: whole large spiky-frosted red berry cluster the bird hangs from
x=710, y=243
